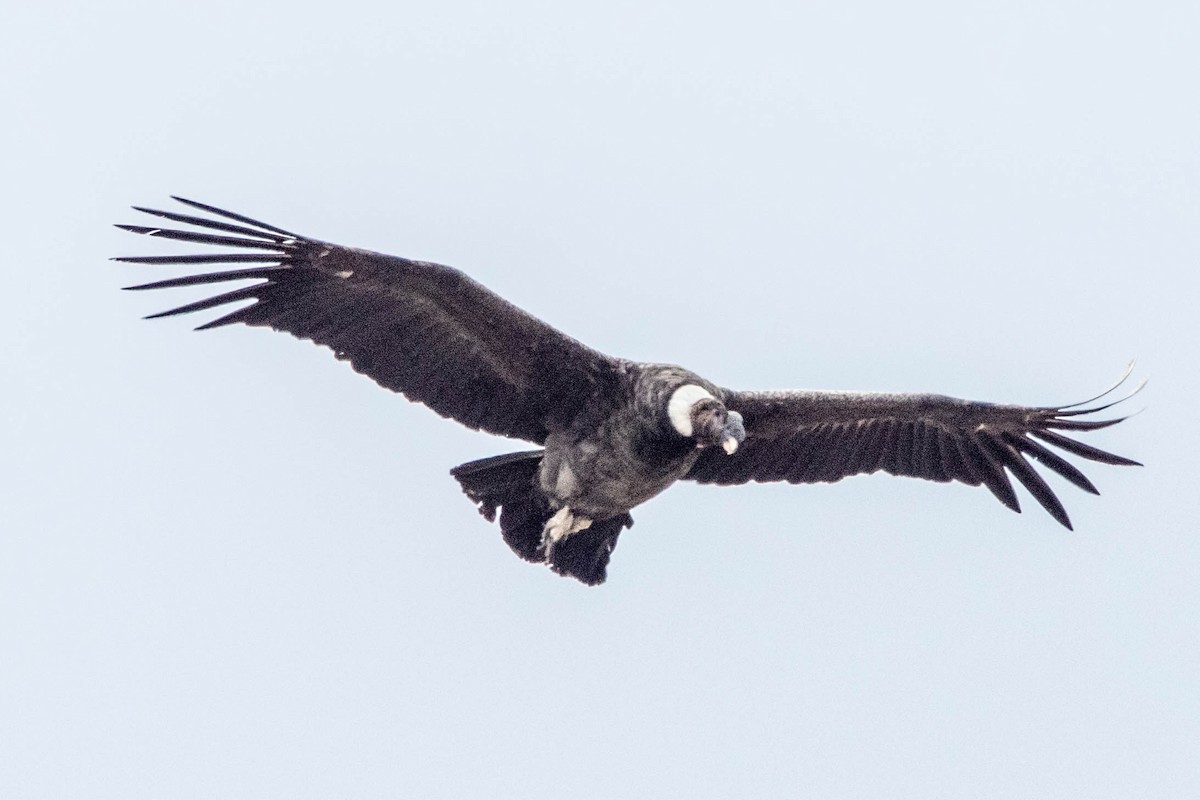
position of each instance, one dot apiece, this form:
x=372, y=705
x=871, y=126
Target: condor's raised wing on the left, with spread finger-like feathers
x=425, y=330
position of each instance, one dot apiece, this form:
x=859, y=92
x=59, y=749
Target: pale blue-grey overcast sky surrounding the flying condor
x=231, y=568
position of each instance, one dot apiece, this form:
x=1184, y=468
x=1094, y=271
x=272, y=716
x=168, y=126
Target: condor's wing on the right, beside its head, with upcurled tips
x=809, y=437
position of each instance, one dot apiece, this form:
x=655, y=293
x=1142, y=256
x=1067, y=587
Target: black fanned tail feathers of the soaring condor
x=509, y=484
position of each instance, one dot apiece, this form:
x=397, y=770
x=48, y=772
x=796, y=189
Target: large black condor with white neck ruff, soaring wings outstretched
x=614, y=434
